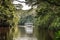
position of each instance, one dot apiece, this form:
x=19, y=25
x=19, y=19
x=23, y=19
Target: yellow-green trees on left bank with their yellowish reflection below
x=8, y=18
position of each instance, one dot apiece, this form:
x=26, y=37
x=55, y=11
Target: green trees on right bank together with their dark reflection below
x=47, y=18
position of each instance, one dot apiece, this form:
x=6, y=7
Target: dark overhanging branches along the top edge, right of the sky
x=36, y=2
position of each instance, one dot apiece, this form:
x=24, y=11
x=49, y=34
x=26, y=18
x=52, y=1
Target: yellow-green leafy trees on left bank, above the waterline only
x=7, y=13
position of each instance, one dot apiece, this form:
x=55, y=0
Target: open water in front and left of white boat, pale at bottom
x=25, y=36
